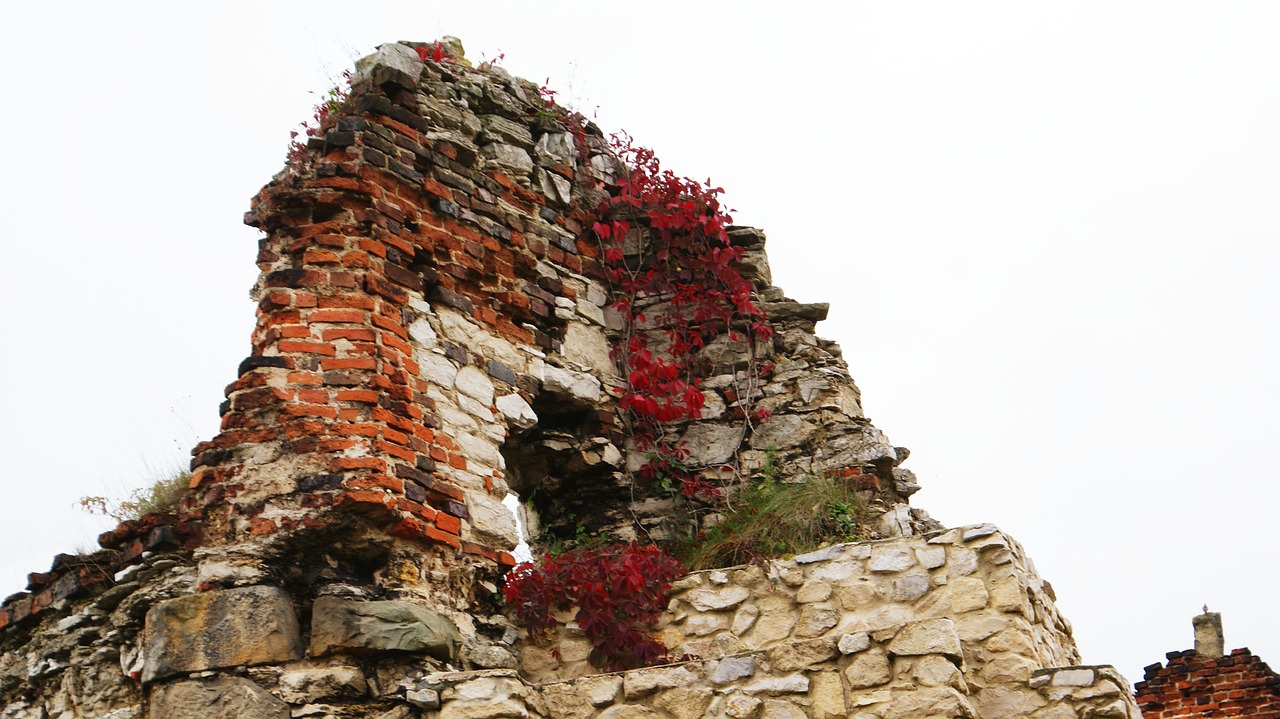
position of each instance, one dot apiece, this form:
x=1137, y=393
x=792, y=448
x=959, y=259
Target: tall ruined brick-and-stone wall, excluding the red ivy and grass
x=433, y=332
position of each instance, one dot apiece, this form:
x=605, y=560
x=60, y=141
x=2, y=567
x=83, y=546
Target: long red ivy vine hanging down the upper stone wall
x=666, y=245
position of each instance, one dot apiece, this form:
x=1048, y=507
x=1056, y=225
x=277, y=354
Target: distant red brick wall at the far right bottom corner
x=1194, y=686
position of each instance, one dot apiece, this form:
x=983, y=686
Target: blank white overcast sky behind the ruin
x=1049, y=233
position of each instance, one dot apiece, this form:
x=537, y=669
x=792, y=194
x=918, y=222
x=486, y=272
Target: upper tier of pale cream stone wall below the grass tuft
x=979, y=578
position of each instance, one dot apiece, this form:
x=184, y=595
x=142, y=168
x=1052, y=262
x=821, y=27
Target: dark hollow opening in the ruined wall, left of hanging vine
x=568, y=474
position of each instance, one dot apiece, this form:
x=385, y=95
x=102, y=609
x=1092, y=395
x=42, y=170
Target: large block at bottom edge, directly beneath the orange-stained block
x=216, y=699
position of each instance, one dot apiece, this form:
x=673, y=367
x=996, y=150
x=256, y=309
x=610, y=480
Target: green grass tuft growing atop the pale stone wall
x=770, y=519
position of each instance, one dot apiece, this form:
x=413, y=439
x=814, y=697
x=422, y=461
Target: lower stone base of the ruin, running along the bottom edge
x=954, y=625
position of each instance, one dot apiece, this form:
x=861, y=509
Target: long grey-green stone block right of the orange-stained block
x=344, y=625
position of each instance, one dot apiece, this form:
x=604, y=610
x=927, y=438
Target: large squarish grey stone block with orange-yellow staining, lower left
x=220, y=629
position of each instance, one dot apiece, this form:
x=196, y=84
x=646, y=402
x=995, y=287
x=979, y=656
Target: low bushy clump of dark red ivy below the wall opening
x=619, y=593
